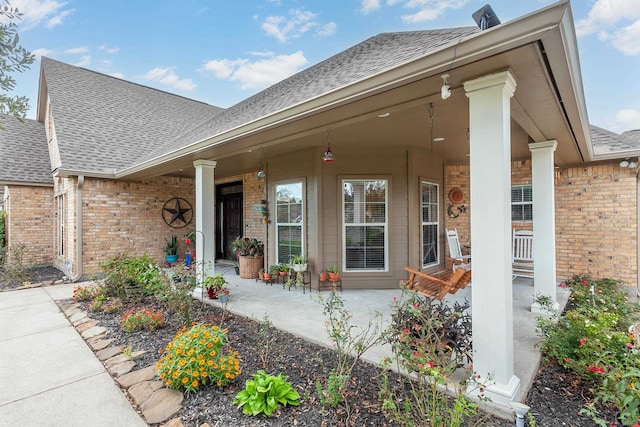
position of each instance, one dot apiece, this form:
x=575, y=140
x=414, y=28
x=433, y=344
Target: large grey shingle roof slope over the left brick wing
x=104, y=123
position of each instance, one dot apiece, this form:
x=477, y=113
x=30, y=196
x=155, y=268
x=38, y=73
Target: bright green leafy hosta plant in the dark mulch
x=264, y=393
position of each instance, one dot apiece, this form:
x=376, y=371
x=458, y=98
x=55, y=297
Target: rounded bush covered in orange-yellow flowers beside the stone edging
x=198, y=356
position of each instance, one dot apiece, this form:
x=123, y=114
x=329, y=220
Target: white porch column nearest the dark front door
x=205, y=218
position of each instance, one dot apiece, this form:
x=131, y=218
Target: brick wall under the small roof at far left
x=28, y=222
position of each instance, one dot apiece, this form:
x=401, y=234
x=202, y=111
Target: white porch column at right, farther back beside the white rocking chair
x=544, y=228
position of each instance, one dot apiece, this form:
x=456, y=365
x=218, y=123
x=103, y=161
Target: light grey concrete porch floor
x=301, y=314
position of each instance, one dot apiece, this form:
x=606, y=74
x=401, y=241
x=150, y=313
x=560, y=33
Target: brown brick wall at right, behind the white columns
x=596, y=218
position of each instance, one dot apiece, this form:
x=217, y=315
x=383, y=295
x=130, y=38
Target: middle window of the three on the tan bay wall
x=365, y=225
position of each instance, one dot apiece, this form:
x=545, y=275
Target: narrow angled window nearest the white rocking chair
x=430, y=226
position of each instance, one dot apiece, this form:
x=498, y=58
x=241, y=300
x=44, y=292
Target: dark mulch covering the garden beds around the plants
x=555, y=398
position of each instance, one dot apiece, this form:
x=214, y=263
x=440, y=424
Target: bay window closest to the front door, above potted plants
x=289, y=221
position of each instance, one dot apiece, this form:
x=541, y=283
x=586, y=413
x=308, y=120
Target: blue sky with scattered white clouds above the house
x=221, y=52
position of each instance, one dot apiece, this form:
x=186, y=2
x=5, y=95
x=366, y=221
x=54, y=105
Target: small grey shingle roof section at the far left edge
x=24, y=154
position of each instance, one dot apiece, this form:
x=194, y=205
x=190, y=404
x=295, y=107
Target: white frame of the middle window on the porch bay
x=385, y=225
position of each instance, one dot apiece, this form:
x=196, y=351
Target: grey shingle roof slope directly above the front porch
x=377, y=54
